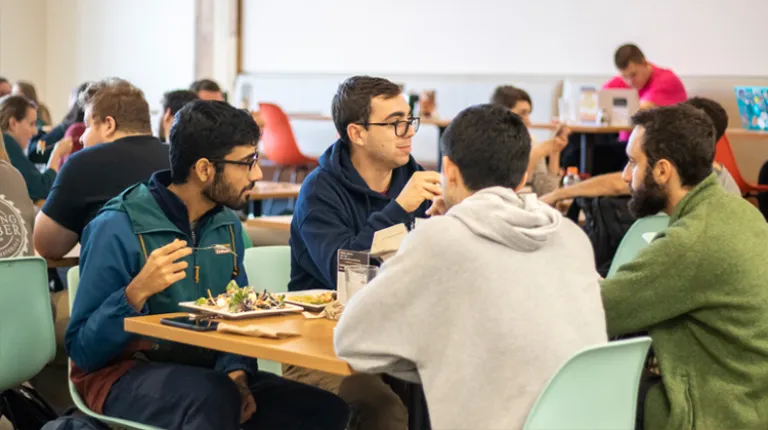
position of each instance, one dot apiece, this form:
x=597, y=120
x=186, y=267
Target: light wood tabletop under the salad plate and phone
x=313, y=349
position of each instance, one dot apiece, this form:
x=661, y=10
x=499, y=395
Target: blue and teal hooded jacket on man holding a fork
x=115, y=246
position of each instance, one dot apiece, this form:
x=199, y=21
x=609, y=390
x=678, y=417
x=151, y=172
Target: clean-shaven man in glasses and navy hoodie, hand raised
x=367, y=181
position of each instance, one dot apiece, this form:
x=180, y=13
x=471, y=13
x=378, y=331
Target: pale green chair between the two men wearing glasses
x=269, y=268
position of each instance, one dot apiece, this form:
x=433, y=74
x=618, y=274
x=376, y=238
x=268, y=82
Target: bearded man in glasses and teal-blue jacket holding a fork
x=142, y=255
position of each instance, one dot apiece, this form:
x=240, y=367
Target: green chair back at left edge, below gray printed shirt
x=27, y=339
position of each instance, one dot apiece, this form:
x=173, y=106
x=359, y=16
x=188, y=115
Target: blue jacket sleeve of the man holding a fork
x=109, y=259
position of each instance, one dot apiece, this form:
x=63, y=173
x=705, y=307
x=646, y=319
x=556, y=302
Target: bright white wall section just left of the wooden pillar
x=148, y=42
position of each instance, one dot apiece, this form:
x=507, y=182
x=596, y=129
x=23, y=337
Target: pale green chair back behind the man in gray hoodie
x=595, y=390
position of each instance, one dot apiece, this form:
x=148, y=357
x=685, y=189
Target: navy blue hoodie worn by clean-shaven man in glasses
x=337, y=210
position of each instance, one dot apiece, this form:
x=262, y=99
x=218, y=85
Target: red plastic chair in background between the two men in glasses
x=279, y=144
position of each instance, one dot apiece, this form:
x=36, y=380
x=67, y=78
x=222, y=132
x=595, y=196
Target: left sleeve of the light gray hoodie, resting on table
x=385, y=326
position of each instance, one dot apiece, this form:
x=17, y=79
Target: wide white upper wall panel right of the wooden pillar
x=552, y=37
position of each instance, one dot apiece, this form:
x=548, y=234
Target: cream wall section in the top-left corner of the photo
x=22, y=52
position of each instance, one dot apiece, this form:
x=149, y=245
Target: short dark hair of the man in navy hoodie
x=352, y=102
